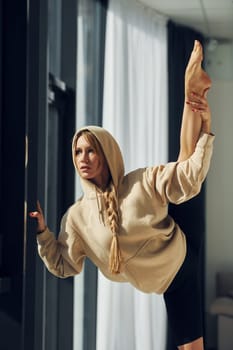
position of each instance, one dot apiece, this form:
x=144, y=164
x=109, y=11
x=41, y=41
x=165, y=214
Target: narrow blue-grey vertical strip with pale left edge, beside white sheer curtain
x=91, y=23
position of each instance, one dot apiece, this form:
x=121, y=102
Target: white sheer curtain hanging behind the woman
x=135, y=111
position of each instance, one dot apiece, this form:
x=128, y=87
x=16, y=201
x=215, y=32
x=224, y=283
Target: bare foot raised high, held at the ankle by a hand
x=196, y=79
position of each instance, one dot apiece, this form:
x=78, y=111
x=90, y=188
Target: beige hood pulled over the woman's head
x=110, y=149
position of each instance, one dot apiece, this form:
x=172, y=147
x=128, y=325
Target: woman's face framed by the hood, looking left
x=91, y=166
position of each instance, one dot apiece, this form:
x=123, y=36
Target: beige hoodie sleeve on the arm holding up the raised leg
x=177, y=182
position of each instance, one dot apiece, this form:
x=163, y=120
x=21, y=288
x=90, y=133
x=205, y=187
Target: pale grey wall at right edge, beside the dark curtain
x=219, y=185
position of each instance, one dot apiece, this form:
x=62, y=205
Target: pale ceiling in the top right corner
x=213, y=18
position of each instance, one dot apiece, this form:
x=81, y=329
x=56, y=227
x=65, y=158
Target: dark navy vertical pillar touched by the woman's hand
x=35, y=173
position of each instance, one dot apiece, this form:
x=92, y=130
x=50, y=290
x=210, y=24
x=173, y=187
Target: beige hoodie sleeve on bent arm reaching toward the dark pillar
x=64, y=256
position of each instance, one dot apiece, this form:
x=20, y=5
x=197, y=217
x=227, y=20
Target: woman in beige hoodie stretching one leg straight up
x=121, y=222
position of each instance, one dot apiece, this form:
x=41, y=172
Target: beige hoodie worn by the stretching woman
x=153, y=246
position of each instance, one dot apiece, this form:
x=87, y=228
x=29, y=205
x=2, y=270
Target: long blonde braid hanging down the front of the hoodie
x=111, y=204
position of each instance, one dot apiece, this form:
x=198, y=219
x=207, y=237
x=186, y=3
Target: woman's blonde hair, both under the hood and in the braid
x=111, y=206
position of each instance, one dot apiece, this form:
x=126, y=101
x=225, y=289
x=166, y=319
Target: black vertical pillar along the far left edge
x=13, y=80
